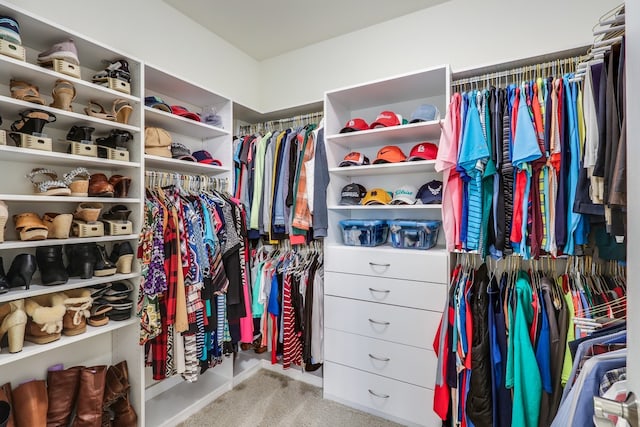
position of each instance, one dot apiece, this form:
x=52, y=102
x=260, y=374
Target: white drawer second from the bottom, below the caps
x=396, y=361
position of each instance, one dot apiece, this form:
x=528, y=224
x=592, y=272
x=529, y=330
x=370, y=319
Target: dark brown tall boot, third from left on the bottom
x=62, y=389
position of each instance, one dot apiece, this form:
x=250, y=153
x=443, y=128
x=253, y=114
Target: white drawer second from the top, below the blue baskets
x=406, y=293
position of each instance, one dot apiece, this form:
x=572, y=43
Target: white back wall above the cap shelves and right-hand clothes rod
x=463, y=33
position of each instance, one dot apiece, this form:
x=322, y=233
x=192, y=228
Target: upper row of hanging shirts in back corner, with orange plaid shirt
x=281, y=176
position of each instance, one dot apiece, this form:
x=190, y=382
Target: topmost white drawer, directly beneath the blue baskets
x=425, y=266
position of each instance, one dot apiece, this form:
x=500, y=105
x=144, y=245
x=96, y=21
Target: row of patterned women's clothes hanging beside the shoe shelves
x=194, y=288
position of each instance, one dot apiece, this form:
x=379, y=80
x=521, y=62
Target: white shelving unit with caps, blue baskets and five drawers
x=375, y=295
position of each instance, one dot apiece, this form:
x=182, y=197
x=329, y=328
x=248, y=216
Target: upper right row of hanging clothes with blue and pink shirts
x=537, y=166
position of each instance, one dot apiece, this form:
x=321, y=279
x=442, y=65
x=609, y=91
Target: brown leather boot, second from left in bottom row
x=30, y=404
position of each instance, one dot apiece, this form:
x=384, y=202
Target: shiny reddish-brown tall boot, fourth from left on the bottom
x=90, y=395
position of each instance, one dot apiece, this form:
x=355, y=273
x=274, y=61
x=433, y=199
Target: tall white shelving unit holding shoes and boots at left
x=118, y=340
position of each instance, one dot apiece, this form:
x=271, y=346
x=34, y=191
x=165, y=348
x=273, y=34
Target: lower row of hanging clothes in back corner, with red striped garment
x=287, y=303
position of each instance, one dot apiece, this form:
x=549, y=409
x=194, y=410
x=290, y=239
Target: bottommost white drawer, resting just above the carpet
x=379, y=395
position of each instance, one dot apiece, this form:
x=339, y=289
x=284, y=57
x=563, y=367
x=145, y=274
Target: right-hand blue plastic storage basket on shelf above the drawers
x=414, y=234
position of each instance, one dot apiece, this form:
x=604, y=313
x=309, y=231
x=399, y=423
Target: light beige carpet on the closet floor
x=268, y=399
